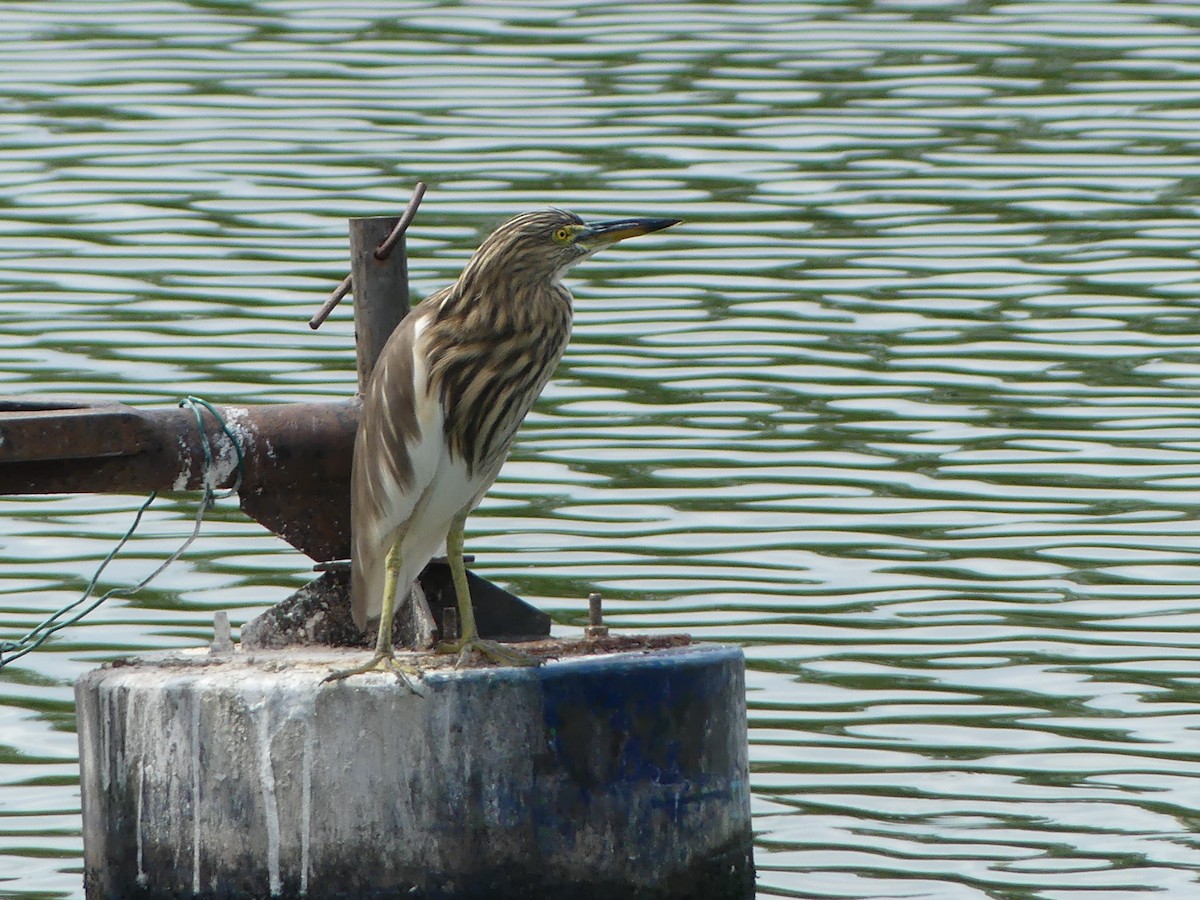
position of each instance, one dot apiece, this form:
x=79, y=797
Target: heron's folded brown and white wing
x=397, y=455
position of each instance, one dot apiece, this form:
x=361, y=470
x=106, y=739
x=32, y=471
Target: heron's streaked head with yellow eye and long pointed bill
x=547, y=243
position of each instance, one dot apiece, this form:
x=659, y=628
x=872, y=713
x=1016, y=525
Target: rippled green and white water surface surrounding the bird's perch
x=908, y=409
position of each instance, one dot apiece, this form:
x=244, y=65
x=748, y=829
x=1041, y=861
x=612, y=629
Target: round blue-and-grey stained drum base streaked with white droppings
x=242, y=776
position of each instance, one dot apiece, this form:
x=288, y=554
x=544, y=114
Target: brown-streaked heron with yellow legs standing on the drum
x=441, y=410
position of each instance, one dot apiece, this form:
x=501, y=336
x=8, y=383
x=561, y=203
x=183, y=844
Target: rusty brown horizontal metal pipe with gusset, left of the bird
x=297, y=466
